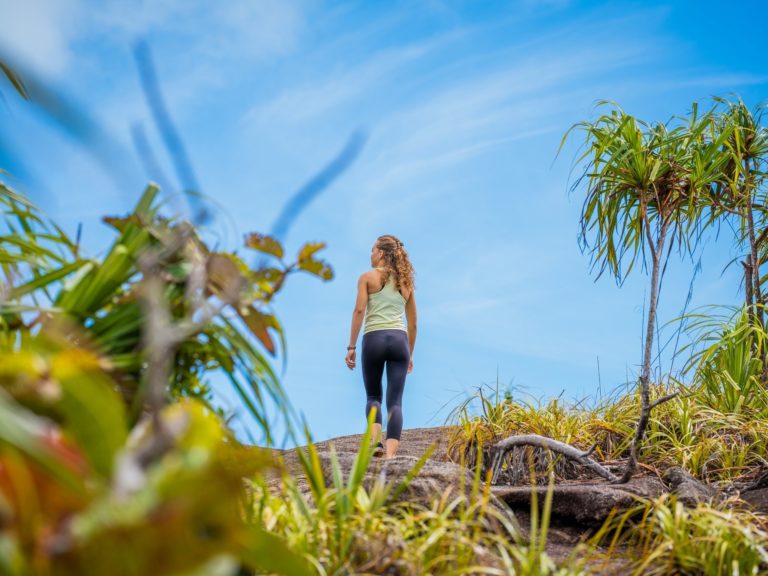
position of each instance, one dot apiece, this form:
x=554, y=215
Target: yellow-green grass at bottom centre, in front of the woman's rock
x=348, y=527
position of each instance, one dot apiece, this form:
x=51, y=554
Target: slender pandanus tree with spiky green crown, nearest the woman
x=646, y=189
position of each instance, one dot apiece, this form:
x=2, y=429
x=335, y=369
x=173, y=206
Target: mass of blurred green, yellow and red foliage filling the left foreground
x=85, y=488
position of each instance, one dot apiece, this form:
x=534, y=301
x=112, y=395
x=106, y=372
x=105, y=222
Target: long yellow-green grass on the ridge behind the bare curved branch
x=714, y=445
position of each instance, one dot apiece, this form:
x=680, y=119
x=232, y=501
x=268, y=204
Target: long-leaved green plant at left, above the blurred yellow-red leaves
x=95, y=303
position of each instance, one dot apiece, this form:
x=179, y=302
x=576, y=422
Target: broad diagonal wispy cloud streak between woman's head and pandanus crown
x=518, y=100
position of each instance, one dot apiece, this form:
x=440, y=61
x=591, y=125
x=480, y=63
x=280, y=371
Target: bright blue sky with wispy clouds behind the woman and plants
x=463, y=104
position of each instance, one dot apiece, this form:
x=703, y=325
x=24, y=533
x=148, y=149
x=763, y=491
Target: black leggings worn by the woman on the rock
x=390, y=347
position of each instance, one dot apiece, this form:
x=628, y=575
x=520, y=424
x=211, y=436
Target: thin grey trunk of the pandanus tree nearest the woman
x=645, y=375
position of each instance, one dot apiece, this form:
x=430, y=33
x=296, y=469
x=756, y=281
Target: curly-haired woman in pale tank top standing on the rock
x=383, y=294
